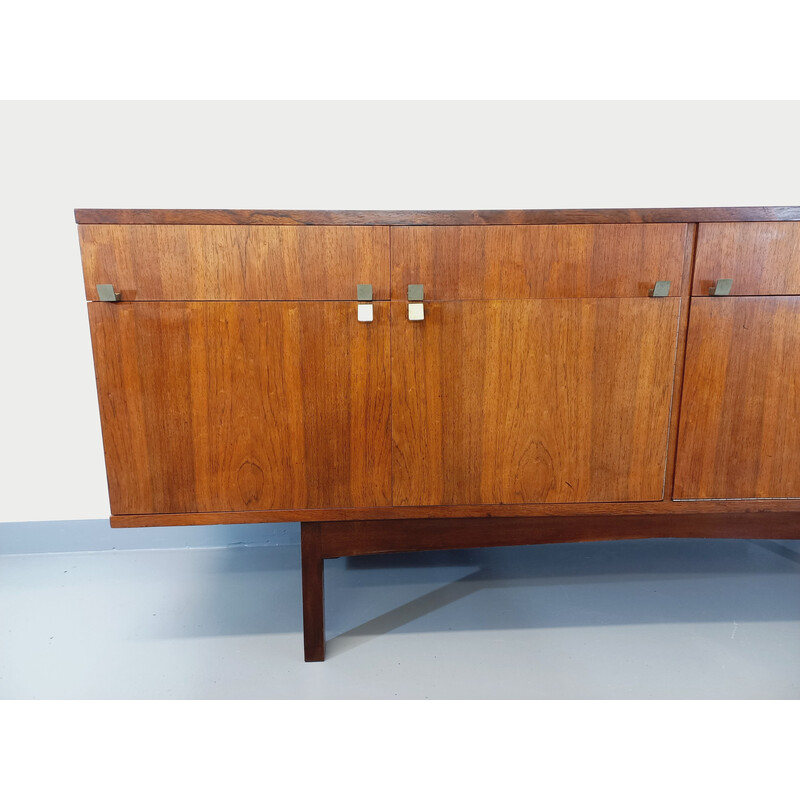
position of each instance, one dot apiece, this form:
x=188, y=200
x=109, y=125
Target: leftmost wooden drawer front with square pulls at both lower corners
x=235, y=262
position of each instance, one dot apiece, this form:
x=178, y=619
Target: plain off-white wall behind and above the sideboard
x=58, y=156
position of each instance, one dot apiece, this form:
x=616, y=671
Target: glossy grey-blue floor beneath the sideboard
x=641, y=619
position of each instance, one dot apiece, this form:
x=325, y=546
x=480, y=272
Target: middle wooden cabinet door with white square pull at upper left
x=525, y=401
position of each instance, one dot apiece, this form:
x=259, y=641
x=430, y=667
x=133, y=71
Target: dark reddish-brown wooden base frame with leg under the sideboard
x=321, y=540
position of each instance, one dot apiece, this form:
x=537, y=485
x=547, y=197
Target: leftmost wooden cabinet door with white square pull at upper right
x=244, y=405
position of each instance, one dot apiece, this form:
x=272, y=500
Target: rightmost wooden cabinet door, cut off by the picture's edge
x=739, y=432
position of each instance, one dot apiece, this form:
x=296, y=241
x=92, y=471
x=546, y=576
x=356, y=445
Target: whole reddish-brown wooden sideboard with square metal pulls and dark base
x=427, y=380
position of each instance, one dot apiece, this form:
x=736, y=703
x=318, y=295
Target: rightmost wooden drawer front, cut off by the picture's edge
x=759, y=257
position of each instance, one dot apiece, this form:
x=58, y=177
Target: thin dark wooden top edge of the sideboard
x=497, y=217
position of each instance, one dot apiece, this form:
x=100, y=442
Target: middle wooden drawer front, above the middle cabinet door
x=516, y=262
